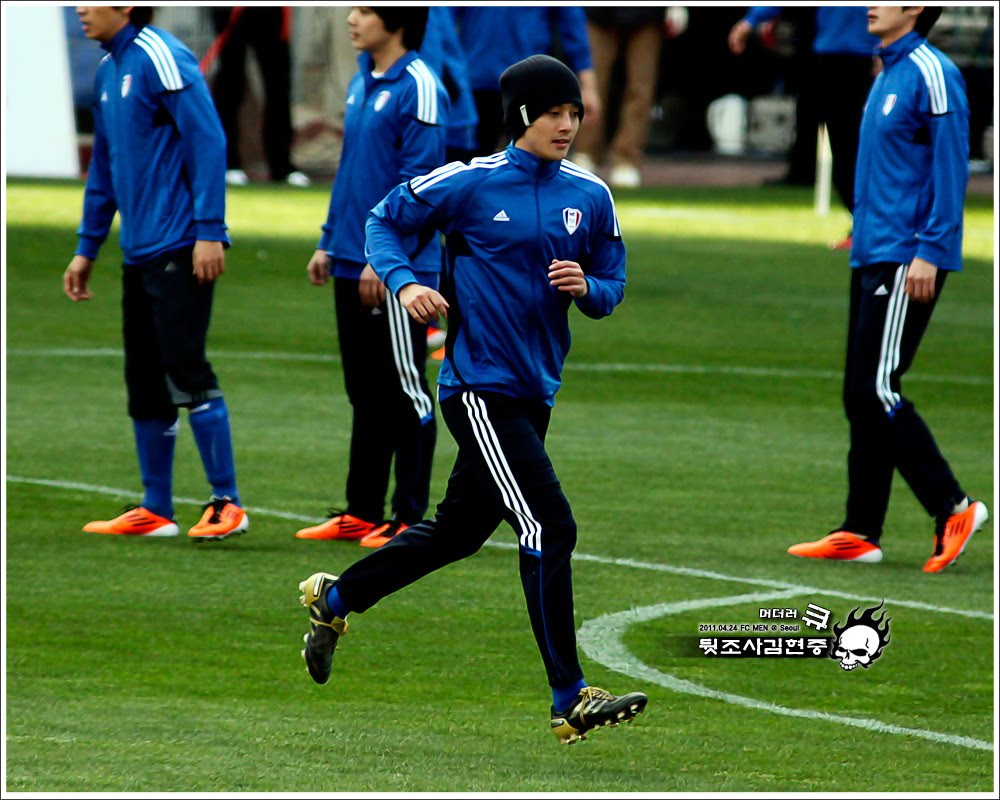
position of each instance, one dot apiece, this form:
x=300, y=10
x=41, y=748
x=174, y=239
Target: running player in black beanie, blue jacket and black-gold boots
x=529, y=236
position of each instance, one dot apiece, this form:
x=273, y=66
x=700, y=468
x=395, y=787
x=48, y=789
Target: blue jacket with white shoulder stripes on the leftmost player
x=159, y=150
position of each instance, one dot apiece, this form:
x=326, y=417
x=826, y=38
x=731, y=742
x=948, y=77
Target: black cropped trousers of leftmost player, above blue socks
x=165, y=317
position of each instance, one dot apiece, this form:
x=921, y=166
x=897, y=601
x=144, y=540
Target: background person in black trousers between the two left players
x=267, y=29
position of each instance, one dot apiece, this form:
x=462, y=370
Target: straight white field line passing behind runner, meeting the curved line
x=577, y=556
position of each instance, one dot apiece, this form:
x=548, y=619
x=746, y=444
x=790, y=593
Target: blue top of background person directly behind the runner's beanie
x=494, y=37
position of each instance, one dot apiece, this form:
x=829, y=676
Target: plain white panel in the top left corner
x=39, y=130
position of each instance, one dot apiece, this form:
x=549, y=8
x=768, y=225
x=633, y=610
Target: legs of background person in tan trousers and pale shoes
x=634, y=35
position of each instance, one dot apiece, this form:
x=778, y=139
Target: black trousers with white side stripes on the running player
x=502, y=472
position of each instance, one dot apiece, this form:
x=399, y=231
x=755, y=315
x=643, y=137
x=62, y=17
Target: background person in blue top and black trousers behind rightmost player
x=836, y=68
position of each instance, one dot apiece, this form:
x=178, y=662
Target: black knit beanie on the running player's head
x=535, y=85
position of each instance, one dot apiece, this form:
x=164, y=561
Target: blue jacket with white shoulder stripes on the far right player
x=913, y=160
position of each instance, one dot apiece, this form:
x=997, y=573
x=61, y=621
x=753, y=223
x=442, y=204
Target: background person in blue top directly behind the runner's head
x=494, y=37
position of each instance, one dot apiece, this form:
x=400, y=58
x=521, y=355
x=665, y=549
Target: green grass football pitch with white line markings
x=698, y=434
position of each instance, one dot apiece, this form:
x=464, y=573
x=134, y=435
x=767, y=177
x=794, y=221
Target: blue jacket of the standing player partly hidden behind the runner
x=393, y=131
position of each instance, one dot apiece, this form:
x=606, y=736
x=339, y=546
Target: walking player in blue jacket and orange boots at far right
x=910, y=189
